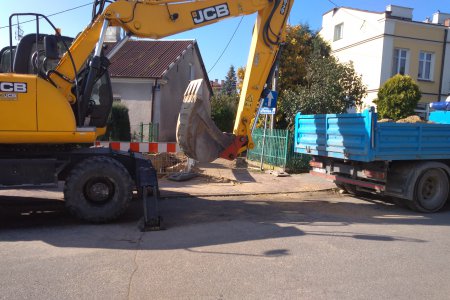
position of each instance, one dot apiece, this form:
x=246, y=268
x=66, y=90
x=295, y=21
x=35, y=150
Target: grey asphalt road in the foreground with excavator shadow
x=286, y=246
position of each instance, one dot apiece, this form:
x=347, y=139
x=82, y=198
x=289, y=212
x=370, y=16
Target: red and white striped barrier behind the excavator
x=141, y=147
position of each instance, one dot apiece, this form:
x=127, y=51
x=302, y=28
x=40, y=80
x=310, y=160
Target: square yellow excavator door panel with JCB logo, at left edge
x=17, y=106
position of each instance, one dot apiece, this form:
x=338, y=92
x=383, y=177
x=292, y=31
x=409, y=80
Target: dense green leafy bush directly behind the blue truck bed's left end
x=328, y=87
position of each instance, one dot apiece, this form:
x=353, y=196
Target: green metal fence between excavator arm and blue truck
x=277, y=149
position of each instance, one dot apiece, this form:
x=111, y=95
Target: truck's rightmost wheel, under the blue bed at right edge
x=431, y=191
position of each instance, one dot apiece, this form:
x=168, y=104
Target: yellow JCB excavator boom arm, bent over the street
x=158, y=19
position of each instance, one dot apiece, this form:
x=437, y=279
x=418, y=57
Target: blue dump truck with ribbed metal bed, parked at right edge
x=409, y=161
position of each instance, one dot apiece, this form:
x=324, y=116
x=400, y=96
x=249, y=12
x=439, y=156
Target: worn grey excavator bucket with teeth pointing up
x=197, y=134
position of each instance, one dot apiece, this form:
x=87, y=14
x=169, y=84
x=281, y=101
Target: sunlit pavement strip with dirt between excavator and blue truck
x=223, y=178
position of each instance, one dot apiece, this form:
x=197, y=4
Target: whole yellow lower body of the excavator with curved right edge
x=34, y=111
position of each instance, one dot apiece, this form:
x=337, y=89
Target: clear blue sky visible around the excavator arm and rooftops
x=211, y=39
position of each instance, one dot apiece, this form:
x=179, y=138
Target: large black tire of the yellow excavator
x=98, y=190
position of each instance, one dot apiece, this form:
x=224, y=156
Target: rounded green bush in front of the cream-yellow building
x=398, y=97
